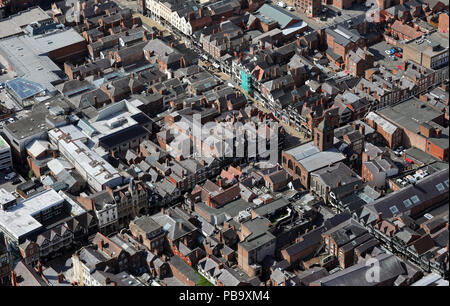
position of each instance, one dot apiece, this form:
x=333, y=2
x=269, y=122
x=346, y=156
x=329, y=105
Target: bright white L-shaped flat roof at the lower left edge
x=18, y=220
